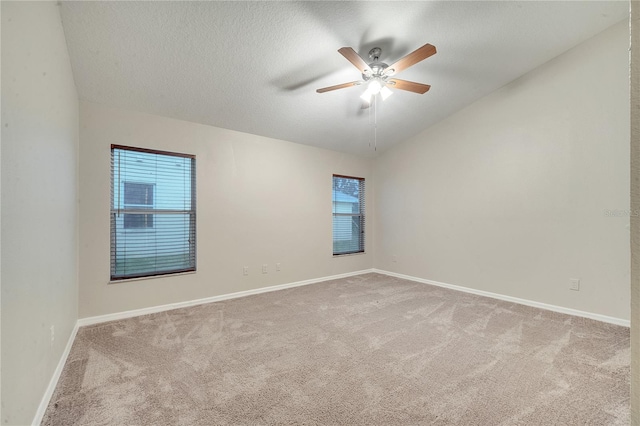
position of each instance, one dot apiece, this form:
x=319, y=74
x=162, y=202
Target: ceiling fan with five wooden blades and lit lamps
x=379, y=76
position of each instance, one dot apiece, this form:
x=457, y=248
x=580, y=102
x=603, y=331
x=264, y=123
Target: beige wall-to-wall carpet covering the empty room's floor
x=370, y=349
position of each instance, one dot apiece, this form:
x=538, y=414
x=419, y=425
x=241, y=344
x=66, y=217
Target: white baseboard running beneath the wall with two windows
x=154, y=309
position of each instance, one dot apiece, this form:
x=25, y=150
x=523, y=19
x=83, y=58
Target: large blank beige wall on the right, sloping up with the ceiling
x=509, y=195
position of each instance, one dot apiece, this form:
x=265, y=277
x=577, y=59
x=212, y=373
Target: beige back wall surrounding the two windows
x=259, y=200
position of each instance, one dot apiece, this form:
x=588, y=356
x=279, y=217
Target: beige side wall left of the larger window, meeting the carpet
x=39, y=203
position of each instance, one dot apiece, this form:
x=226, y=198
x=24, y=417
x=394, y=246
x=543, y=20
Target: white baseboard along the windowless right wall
x=561, y=309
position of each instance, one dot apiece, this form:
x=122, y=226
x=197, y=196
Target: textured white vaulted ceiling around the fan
x=254, y=66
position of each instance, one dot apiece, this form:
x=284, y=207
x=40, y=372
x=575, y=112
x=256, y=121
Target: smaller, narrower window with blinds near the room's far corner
x=348, y=215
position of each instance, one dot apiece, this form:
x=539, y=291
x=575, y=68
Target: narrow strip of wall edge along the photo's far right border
x=635, y=220
